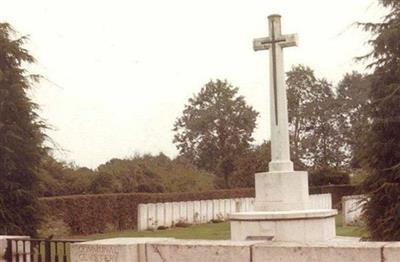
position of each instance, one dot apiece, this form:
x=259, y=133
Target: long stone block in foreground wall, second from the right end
x=317, y=252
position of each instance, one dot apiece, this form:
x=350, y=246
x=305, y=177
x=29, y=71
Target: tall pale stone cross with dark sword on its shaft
x=280, y=153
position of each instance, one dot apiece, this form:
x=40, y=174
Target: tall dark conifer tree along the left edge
x=21, y=138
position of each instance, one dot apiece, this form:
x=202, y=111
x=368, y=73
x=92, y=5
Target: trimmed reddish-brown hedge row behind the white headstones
x=89, y=214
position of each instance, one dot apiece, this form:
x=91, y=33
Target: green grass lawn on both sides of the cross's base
x=209, y=231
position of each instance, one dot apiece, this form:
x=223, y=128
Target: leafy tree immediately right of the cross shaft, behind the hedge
x=313, y=124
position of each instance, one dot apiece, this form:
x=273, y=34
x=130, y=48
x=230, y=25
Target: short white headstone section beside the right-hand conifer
x=352, y=210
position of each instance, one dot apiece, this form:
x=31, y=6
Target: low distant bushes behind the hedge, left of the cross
x=144, y=174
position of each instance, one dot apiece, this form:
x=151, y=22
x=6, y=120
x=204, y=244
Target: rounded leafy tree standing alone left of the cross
x=215, y=129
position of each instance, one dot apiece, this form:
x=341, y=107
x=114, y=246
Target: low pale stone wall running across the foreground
x=172, y=250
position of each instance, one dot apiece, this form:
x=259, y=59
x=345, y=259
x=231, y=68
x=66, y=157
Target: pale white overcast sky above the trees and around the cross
x=120, y=72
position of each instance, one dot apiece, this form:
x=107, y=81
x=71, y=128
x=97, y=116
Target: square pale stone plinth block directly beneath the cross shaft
x=281, y=191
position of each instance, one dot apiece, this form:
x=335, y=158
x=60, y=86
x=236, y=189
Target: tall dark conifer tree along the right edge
x=381, y=154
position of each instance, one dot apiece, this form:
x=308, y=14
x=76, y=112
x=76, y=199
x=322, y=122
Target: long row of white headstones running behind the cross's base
x=152, y=216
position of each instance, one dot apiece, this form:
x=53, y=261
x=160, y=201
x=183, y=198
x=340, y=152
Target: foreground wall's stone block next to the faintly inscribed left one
x=199, y=250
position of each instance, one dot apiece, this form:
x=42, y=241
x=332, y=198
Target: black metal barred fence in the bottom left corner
x=38, y=250
